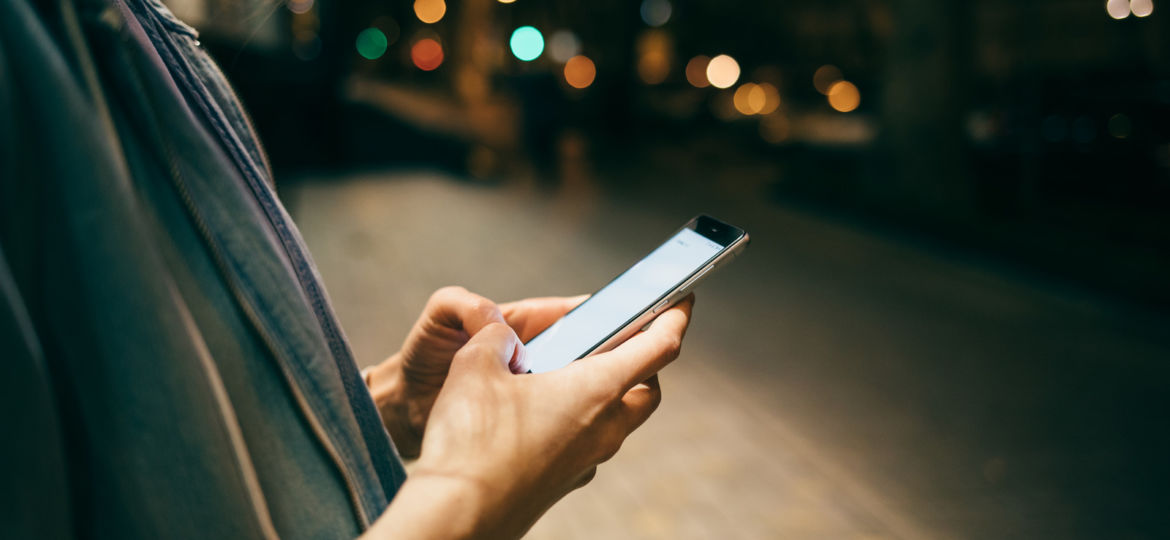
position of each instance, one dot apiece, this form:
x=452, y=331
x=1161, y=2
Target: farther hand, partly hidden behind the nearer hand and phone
x=405, y=386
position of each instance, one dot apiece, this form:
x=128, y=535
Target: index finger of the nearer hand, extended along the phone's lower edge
x=649, y=352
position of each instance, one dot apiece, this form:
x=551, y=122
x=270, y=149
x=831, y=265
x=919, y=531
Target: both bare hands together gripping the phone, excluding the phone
x=500, y=449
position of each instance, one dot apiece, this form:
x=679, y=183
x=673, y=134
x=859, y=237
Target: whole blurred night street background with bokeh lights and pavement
x=953, y=320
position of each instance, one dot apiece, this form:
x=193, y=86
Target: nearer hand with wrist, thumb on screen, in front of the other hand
x=501, y=449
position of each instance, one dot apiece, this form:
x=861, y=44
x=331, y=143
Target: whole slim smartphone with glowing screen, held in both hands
x=632, y=300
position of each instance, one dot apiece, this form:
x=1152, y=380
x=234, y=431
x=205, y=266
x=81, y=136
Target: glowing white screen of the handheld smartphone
x=630, y=295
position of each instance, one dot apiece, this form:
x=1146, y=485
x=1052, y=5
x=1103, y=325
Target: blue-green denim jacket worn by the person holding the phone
x=174, y=368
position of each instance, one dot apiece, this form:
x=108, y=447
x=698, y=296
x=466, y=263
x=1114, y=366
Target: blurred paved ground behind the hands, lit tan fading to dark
x=836, y=384
